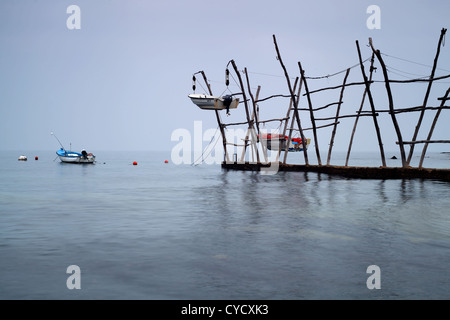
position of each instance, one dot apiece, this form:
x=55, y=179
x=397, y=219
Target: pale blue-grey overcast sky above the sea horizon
x=121, y=81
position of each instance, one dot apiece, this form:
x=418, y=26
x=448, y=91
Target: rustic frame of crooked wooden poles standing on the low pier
x=292, y=121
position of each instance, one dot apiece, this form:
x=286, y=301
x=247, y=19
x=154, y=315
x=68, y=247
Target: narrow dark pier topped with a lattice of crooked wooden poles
x=293, y=123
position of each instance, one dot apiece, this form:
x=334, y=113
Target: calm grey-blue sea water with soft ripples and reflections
x=157, y=230
